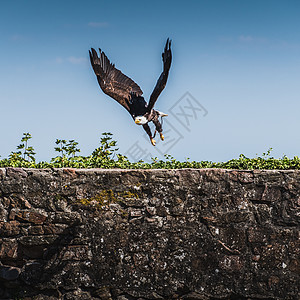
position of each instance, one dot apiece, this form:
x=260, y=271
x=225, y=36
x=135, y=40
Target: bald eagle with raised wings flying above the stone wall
x=124, y=90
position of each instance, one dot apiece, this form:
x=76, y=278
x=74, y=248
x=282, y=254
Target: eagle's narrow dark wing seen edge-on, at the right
x=162, y=80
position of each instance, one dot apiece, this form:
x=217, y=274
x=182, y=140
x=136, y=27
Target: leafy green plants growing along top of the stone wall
x=106, y=156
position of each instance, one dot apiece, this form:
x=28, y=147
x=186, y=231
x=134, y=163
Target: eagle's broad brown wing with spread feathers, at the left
x=112, y=81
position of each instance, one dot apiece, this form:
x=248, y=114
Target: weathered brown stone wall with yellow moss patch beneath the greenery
x=149, y=234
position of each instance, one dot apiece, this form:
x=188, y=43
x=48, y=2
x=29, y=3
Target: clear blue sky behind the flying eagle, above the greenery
x=240, y=61
